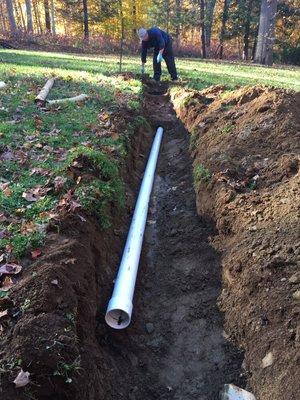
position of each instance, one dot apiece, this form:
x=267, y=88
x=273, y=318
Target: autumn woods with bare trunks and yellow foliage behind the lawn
x=234, y=29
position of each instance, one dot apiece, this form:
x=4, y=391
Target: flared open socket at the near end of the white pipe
x=118, y=314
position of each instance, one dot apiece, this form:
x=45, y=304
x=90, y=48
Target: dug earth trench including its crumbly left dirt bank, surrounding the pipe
x=175, y=346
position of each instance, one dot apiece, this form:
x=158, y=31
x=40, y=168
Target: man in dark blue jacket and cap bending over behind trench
x=162, y=43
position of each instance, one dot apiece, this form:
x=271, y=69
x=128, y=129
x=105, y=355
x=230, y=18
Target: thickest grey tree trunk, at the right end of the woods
x=266, y=33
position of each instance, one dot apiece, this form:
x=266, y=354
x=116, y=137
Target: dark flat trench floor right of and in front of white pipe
x=175, y=347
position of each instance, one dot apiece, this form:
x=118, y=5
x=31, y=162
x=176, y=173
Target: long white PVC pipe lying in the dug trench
x=119, y=309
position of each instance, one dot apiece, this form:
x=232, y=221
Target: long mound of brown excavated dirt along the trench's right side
x=245, y=146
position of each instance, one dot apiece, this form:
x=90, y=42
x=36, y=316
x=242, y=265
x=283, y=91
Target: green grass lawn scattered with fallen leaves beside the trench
x=40, y=148
